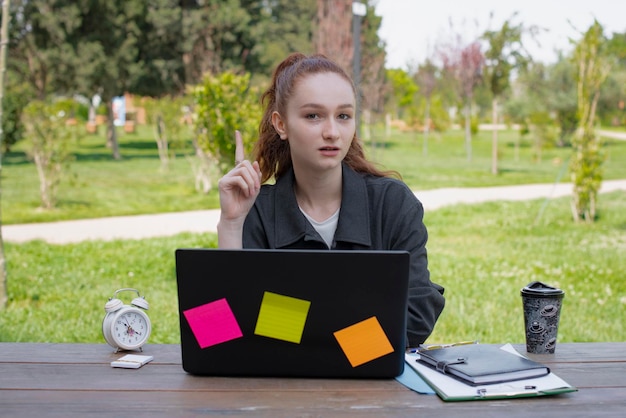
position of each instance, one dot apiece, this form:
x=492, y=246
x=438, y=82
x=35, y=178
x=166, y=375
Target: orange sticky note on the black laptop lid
x=364, y=341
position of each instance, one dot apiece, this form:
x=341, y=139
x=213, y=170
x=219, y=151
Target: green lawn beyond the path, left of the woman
x=98, y=186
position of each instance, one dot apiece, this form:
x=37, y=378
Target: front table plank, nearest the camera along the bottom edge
x=401, y=403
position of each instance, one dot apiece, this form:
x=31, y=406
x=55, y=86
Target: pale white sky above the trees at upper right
x=411, y=28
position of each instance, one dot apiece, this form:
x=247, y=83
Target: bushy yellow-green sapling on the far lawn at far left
x=49, y=135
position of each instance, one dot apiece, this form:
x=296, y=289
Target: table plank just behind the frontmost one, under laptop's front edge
x=172, y=377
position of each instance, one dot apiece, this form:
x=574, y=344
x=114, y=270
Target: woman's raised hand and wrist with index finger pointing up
x=238, y=190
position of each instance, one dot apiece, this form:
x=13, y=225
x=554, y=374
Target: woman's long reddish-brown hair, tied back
x=270, y=151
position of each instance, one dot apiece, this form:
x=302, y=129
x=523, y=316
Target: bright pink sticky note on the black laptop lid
x=213, y=323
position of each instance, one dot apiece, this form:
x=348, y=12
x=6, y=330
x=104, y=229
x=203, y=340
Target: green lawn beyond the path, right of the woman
x=446, y=163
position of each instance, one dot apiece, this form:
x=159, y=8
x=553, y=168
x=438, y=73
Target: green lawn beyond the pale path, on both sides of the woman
x=97, y=186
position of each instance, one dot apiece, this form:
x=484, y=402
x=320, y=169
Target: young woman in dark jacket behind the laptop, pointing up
x=325, y=193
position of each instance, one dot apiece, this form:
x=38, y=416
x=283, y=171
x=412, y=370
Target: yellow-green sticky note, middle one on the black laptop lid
x=282, y=317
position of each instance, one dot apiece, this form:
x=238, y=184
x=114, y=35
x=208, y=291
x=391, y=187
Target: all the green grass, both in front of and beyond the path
x=483, y=254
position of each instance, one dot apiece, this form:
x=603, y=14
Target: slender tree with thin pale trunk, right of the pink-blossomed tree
x=505, y=53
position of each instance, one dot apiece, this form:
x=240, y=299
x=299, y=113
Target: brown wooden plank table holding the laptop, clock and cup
x=76, y=380
